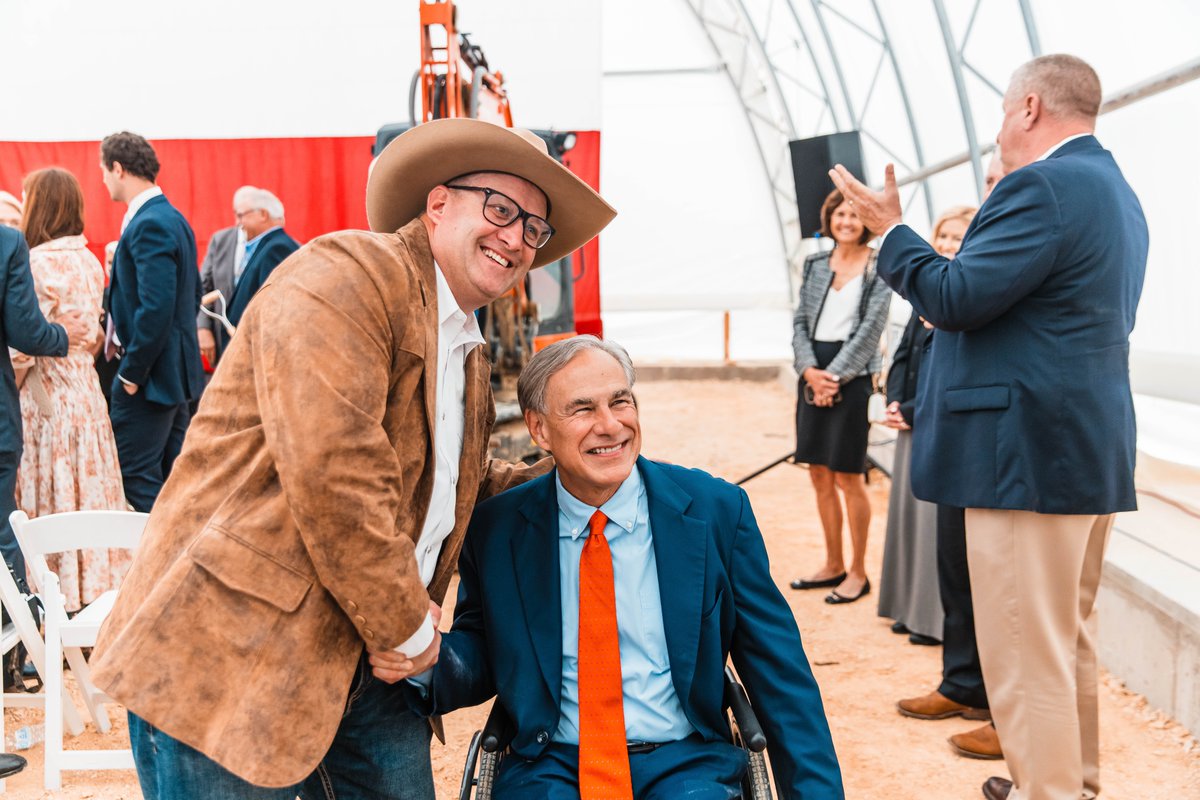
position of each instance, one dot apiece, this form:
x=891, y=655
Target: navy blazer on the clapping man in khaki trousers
x=1027, y=402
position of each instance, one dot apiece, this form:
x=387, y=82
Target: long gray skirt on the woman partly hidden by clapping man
x=909, y=590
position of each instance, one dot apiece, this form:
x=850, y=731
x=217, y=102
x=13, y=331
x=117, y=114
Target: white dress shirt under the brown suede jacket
x=458, y=335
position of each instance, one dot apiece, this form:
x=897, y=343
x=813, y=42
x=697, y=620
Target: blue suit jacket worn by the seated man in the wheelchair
x=718, y=600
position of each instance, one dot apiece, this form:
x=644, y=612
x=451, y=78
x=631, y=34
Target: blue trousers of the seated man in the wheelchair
x=687, y=769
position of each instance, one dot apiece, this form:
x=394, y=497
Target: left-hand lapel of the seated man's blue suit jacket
x=536, y=567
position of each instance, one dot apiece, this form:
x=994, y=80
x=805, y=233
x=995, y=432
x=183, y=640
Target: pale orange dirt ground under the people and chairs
x=731, y=430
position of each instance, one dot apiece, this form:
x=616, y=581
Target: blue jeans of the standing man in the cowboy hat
x=381, y=753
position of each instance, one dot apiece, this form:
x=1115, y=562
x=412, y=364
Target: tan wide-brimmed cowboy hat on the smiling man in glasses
x=435, y=153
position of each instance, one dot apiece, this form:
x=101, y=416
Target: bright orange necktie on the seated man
x=604, y=755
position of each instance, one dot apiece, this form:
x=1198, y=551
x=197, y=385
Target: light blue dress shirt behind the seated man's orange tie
x=652, y=708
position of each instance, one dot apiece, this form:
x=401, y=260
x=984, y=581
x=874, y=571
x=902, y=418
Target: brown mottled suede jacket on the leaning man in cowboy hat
x=284, y=542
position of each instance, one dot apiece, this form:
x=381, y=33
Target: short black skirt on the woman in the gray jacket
x=835, y=437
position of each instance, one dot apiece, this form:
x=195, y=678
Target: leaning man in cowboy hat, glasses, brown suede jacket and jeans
x=317, y=510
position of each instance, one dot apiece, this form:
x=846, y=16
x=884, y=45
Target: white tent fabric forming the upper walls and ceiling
x=699, y=233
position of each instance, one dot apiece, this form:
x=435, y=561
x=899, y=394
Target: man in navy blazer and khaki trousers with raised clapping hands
x=1028, y=408
